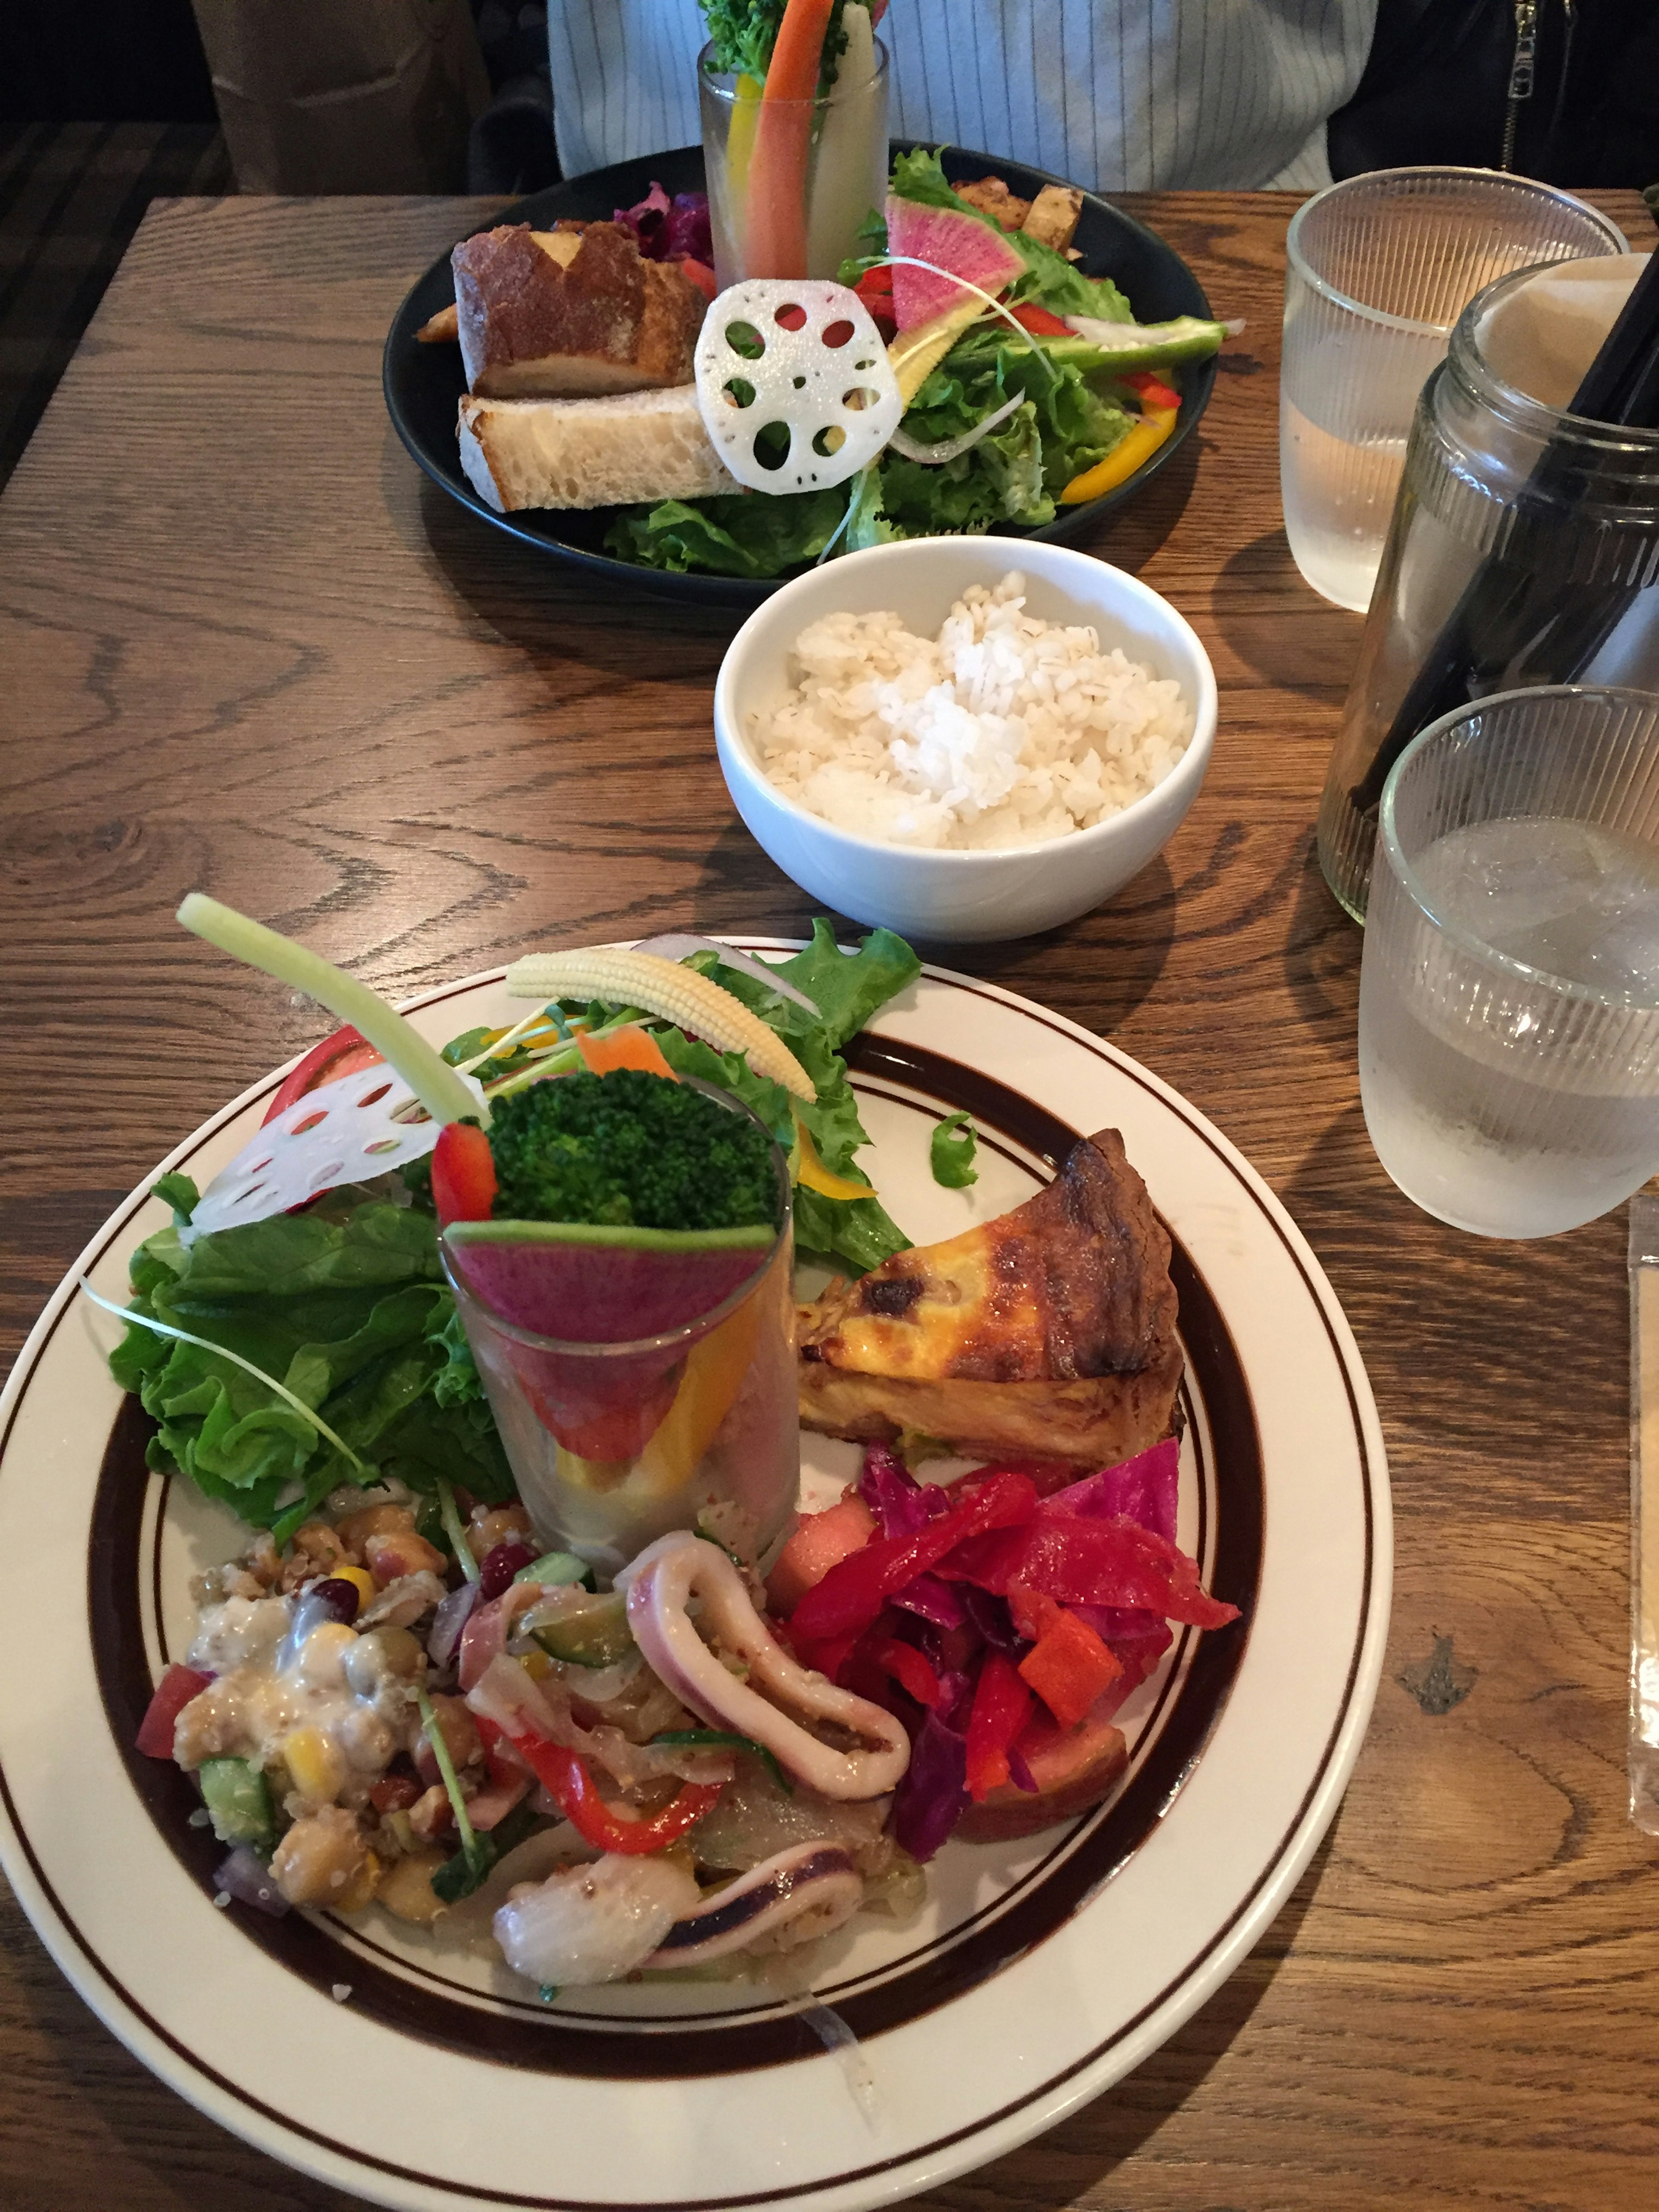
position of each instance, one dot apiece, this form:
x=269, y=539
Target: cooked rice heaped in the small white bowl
x=1005, y=731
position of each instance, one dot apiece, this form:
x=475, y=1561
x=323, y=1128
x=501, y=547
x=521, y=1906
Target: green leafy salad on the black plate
x=1072, y=415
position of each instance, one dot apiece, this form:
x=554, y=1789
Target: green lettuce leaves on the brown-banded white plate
x=348, y=1308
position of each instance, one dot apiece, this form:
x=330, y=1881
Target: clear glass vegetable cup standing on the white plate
x=618, y=1439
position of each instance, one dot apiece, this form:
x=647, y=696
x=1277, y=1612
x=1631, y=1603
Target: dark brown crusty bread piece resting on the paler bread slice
x=543, y=322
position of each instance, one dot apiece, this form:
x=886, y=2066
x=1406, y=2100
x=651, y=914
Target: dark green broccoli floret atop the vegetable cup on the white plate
x=629, y=1149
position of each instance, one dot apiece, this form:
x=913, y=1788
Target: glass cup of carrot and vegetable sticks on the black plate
x=835, y=152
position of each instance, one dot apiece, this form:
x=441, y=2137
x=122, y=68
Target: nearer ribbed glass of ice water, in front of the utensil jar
x=1510, y=997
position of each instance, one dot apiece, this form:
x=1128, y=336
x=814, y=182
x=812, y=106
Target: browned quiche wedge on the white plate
x=1047, y=1333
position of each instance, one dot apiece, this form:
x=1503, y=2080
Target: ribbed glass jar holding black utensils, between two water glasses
x=1523, y=552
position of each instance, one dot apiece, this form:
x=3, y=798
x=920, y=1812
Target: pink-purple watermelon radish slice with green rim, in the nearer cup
x=598, y=1286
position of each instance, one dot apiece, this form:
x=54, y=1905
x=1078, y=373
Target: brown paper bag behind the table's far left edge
x=346, y=96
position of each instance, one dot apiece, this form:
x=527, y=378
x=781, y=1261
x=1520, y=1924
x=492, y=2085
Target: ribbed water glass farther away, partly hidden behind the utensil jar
x=1379, y=271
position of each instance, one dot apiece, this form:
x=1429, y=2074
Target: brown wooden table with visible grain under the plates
x=249, y=649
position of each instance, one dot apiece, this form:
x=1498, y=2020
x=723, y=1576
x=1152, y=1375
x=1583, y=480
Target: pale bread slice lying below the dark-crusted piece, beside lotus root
x=612, y=452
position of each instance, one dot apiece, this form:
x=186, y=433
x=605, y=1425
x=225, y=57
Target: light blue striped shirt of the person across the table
x=1123, y=96
